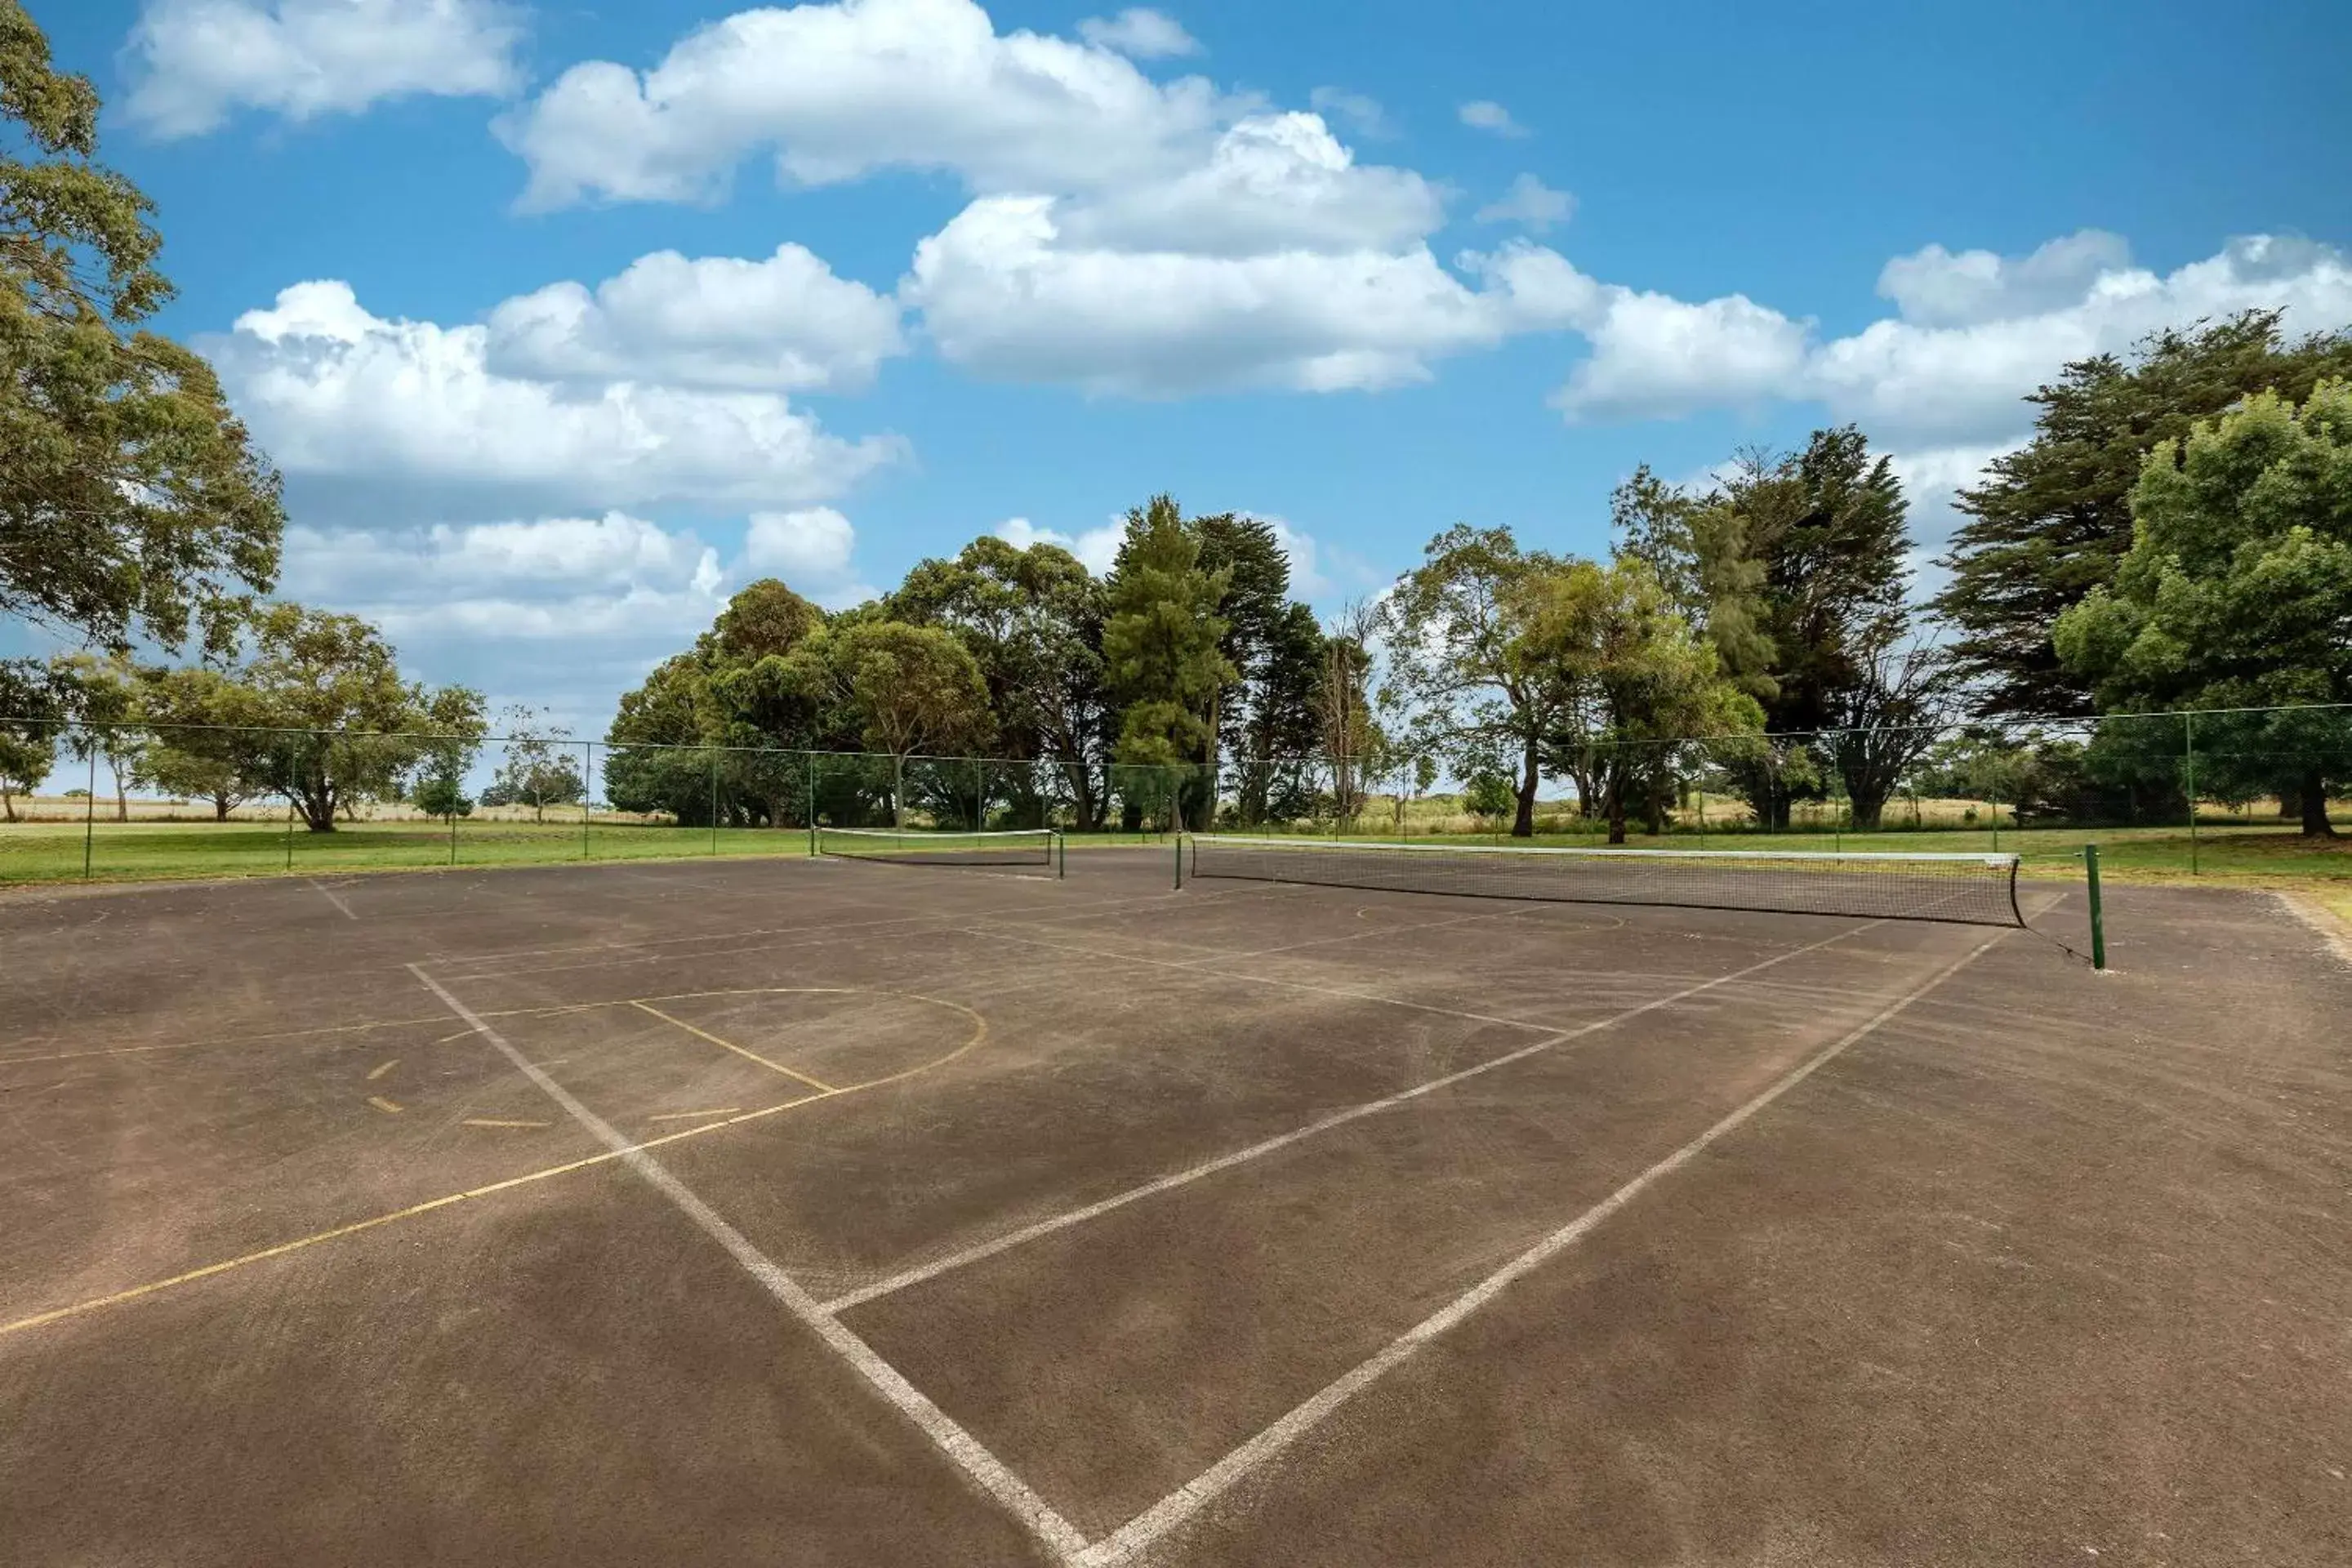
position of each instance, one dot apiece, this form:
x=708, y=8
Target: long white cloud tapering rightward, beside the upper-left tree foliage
x=387, y=406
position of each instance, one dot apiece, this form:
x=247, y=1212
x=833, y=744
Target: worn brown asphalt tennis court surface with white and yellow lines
x=998, y=1205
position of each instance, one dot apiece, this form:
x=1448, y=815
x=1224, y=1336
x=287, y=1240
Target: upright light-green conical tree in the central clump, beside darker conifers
x=1163, y=643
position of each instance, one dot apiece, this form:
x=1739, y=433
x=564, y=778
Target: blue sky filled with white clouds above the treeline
x=500, y=288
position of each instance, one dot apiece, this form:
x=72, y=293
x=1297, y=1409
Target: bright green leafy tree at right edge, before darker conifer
x=2238, y=596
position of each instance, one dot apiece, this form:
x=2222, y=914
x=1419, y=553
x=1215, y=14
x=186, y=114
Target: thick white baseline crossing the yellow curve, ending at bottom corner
x=935, y=1423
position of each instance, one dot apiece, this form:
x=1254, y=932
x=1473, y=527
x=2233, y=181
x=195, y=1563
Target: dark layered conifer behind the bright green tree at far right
x=2052, y=521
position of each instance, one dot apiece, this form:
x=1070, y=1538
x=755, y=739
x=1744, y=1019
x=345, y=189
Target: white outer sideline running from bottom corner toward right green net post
x=1205, y=1489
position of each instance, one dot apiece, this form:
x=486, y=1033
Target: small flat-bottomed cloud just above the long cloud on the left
x=784, y=323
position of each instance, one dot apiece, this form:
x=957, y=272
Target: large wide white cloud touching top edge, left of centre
x=850, y=88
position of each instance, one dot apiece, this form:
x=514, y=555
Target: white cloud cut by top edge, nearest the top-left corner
x=196, y=62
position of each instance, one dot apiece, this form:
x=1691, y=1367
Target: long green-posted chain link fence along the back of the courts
x=88, y=800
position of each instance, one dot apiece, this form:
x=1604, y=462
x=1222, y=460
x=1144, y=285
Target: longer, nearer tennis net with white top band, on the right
x=1967, y=890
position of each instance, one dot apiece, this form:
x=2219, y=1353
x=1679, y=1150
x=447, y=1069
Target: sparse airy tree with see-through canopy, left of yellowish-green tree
x=1462, y=659
